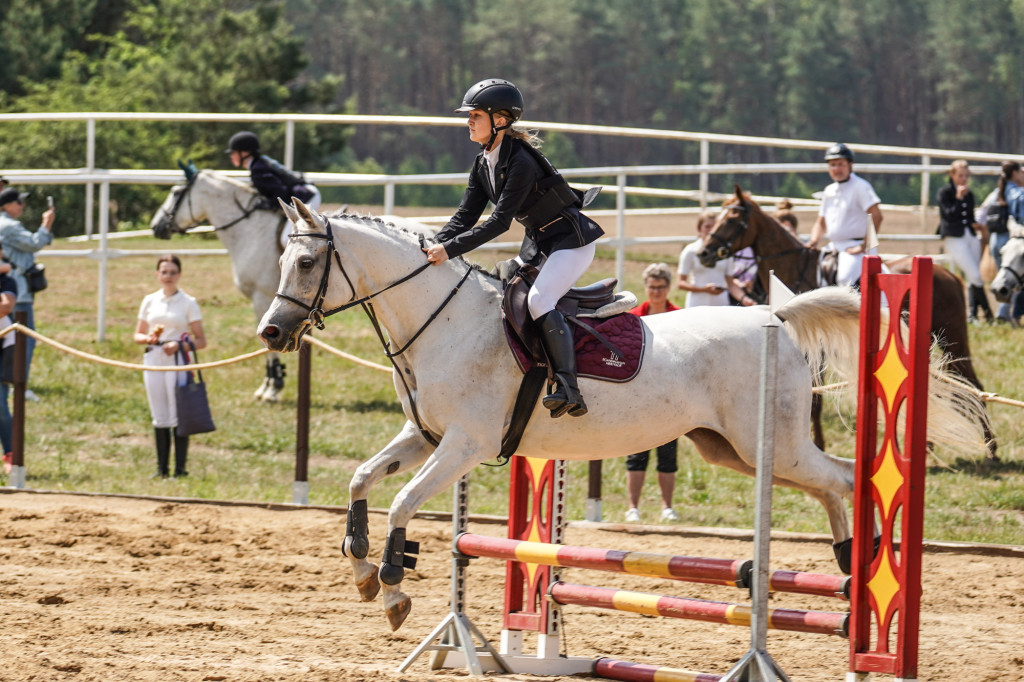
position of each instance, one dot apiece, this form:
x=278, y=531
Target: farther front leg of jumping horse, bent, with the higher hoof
x=408, y=450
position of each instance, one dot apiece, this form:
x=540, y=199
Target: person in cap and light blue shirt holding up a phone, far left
x=20, y=245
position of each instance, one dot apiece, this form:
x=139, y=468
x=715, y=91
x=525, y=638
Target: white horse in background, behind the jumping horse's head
x=249, y=234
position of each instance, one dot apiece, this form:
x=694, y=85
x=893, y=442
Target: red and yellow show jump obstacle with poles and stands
x=885, y=587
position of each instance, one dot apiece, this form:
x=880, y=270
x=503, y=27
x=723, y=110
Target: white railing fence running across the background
x=91, y=177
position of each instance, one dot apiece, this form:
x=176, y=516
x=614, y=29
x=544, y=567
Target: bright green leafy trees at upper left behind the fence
x=176, y=56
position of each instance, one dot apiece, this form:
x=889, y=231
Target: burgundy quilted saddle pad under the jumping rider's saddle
x=594, y=360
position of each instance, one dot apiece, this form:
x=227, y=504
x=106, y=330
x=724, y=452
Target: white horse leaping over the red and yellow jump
x=457, y=381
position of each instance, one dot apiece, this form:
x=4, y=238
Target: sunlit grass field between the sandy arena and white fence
x=92, y=431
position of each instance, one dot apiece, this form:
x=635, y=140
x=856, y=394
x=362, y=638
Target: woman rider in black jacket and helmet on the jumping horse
x=515, y=177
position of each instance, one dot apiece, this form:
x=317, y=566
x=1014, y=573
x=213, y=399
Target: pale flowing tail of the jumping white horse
x=826, y=326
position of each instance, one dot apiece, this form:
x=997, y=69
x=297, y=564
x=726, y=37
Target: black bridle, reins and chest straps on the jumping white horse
x=317, y=314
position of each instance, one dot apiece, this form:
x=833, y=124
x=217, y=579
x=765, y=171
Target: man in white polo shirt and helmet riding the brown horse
x=842, y=218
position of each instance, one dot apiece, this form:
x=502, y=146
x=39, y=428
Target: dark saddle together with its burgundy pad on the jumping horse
x=609, y=338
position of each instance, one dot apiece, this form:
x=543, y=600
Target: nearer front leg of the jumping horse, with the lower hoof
x=456, y=456
